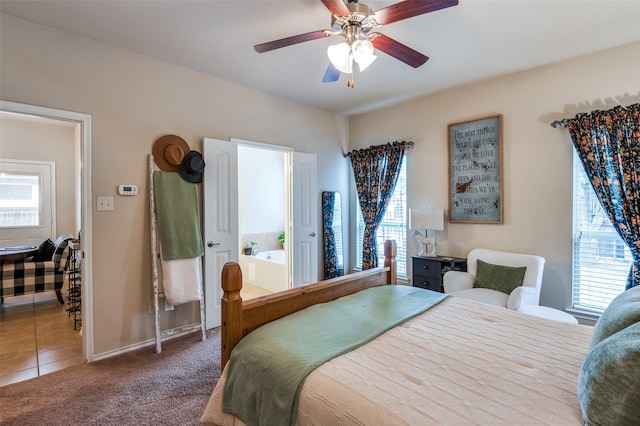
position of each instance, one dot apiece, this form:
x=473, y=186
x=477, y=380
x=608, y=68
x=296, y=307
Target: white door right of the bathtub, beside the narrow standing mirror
x=305, y=219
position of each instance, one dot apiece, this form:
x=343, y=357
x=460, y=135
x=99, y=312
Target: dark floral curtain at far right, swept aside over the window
x=608, y=143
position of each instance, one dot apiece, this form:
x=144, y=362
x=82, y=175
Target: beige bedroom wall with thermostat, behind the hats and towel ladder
x=133, y=100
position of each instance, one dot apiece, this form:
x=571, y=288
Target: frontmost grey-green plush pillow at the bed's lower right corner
x=609, y=380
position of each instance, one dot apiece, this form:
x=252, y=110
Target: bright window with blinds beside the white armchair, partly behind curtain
x=601, y=260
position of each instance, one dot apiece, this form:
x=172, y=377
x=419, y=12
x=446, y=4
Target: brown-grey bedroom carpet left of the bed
x=137, y=388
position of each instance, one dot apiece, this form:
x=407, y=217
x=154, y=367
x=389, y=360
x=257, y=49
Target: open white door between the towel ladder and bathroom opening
x=220, y=189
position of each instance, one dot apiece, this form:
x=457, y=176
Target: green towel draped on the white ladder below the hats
x=177, y=216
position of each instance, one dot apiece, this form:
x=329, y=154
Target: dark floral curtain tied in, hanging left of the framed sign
x=375, y=170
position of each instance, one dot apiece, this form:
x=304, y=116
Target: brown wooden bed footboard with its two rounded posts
x=239, y=318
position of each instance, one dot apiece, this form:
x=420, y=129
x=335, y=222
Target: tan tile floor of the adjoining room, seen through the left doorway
x=36, y=338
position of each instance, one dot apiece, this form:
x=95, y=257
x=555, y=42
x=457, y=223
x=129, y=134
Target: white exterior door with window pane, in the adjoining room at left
x=27, y=202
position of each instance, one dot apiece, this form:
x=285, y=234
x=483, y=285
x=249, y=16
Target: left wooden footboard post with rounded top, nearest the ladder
x=231, y=329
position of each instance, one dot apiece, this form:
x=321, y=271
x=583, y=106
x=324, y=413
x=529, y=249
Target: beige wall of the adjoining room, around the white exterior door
x=45, y=140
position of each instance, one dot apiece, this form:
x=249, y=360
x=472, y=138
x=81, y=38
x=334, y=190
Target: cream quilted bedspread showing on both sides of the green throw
x=461, y=362
